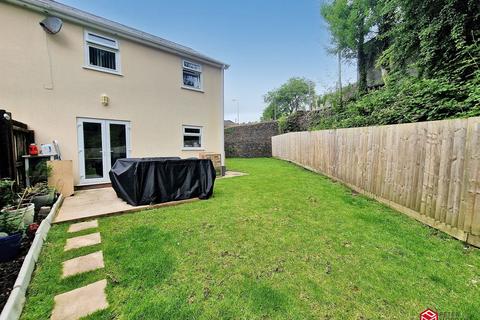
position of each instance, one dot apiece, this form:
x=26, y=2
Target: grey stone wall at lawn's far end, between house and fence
x=250, y=140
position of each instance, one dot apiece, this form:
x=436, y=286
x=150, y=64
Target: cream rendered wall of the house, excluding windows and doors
x=43, y=83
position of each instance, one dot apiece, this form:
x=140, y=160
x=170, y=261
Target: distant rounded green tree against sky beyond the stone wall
x=296, y=94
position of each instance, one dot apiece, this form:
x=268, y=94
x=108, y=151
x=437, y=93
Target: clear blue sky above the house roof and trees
x=265, y=42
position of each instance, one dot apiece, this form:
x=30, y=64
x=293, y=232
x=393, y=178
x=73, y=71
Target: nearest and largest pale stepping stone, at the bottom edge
x=80, y=302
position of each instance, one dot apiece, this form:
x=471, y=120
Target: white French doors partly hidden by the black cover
x=100, y=143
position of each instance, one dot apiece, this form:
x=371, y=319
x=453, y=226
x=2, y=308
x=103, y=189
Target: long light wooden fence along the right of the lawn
x=428, y=170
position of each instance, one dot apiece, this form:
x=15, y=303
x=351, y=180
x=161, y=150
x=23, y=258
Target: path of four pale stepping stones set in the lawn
x=78, y=303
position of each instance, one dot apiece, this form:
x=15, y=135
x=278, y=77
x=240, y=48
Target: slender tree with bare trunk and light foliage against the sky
x=350, y=21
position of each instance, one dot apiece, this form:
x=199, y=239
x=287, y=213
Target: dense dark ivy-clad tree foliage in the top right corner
x=433, y=37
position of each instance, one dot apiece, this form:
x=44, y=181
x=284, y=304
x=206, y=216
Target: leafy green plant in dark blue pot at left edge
x=12, y=219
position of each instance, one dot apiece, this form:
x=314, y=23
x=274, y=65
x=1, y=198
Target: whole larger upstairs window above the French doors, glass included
x=102, y=53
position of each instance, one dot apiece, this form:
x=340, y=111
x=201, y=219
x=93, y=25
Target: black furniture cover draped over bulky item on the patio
x=143, y=181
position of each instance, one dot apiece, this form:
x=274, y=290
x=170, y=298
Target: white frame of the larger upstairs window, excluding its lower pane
x=92, y=42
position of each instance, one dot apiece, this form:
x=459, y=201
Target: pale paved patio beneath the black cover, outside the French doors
x=86, y=204
